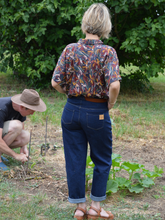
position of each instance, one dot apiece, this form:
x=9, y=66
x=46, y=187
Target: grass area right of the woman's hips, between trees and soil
x=140, y=115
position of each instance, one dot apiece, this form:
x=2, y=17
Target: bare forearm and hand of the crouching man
x=6, y=150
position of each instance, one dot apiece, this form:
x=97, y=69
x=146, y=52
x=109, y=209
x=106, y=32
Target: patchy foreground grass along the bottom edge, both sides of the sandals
x=19, y=206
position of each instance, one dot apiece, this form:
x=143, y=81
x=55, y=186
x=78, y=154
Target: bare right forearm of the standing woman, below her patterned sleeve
x=114, y=89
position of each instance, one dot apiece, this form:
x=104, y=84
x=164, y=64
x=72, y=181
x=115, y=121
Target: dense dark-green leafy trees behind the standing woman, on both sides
x=34, y=33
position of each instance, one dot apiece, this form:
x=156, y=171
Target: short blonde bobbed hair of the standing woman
x=97, y=21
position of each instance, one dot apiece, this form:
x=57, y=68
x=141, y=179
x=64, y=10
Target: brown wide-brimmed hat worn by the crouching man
x=30, y=99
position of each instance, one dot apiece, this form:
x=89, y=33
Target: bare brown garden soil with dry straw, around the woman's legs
x=46, y=173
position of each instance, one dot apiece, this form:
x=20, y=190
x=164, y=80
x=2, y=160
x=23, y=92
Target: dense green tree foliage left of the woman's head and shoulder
x=32, y=36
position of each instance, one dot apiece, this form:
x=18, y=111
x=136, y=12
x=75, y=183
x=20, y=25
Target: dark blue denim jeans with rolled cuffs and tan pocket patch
x=86, y=122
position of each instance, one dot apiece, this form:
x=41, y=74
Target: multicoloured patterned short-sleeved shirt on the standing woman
x=87, y=68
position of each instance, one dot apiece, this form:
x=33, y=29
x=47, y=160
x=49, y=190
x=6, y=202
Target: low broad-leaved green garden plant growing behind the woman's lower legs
x=135, y=179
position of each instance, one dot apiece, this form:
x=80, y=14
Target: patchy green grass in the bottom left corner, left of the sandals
x=19, y=206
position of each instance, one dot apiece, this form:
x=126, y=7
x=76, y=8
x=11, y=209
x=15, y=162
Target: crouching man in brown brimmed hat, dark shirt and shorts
x=13, y=112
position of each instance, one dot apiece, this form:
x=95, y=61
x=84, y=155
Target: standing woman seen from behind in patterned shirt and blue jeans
x=88, y=72
